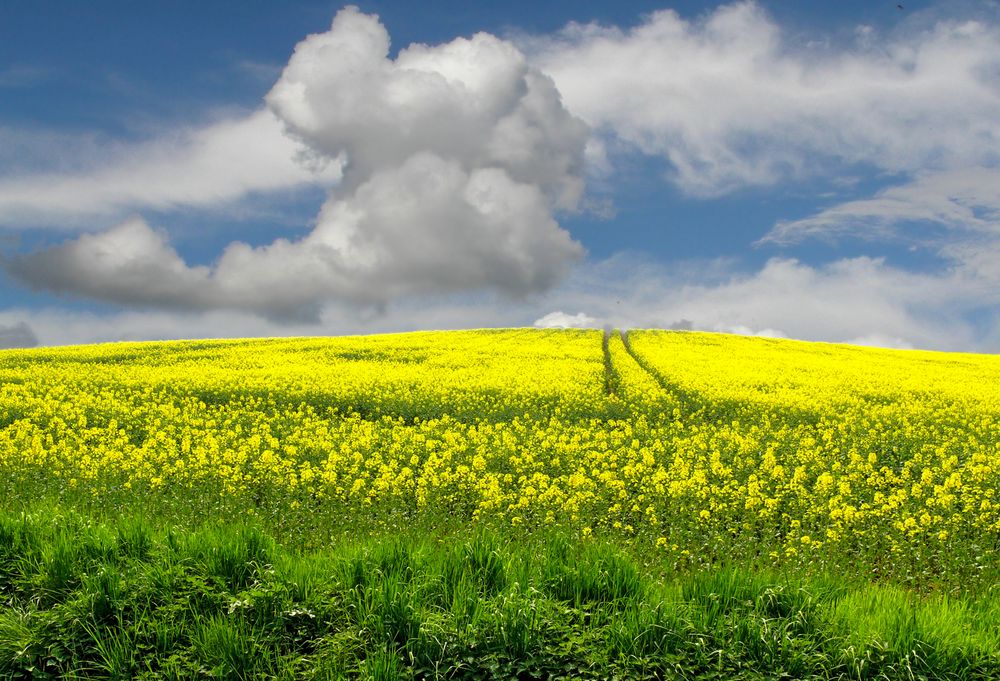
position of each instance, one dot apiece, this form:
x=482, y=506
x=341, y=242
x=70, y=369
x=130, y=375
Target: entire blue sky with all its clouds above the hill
x=817, y=170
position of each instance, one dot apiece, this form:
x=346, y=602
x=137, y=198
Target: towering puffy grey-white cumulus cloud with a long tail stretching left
x=454, y=158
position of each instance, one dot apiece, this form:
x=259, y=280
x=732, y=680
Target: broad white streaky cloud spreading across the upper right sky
x=733, y=101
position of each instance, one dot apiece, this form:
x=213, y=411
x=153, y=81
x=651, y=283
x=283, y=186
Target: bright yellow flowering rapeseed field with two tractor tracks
x=707, y=447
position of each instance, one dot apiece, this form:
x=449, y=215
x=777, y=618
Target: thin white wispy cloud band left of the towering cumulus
x=206, y=167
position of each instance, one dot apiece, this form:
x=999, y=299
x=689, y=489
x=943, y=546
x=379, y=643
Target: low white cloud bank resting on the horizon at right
x=856, y=300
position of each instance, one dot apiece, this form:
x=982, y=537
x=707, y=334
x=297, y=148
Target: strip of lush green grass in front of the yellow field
x=129, y=599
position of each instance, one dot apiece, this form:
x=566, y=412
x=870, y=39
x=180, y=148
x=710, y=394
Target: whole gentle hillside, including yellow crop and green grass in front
x=499, y=504
